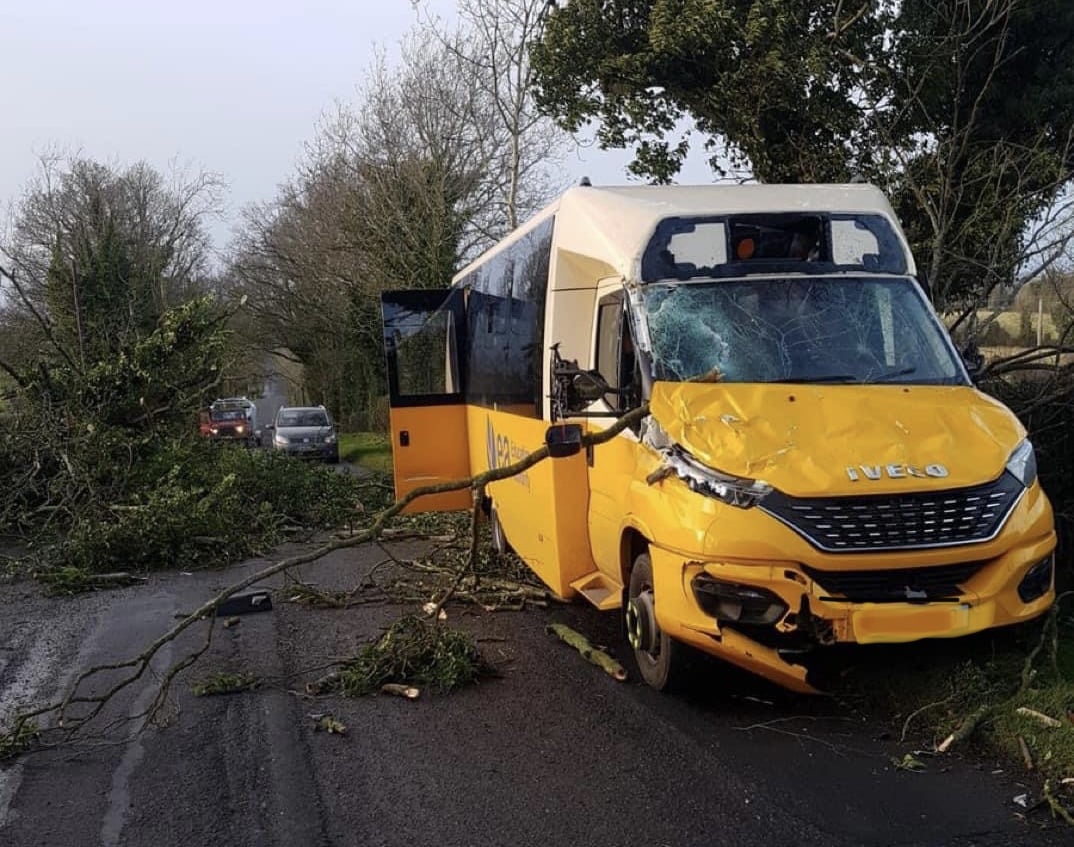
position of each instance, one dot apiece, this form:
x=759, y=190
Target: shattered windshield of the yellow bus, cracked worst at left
x=797, y=330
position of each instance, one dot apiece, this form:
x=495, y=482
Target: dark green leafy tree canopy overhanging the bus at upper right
x=963, y=110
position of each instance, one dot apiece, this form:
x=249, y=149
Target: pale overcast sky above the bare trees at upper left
x=230, y=86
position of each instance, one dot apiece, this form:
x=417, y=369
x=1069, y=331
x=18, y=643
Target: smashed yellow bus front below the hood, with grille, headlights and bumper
x=746, y=583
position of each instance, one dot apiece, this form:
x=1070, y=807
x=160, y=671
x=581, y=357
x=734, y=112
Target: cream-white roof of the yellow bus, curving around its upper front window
x=613, y=225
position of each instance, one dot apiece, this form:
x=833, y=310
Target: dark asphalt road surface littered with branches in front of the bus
x=554, y=753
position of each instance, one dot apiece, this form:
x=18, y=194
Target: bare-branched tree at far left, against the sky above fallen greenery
x=94, y=252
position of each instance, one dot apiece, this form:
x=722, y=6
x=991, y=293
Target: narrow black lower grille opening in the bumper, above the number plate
x=897, y=586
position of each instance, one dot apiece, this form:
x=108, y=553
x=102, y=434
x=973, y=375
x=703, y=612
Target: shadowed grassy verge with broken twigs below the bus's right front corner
x=927, y=693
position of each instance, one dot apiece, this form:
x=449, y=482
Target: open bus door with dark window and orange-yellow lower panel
x=425, y=333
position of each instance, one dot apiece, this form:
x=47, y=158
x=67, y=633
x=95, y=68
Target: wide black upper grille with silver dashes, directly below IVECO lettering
x=899, y=521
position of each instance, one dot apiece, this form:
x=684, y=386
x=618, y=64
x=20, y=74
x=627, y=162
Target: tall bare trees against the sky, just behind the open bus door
x=398, y=191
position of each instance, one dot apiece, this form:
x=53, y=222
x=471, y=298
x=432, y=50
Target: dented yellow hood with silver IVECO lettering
x=804, y=439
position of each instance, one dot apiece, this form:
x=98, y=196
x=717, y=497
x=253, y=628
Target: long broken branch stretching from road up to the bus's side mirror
x=74, y=726
